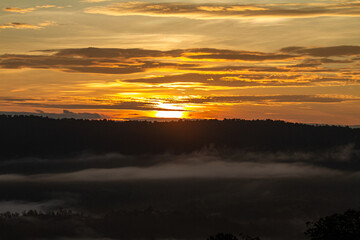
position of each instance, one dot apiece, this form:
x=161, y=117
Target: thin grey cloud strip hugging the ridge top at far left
x=64, y=114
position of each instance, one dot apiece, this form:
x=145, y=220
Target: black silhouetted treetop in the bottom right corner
x=344, y=226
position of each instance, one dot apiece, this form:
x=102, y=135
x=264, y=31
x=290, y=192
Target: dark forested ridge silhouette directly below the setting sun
x=24, y=136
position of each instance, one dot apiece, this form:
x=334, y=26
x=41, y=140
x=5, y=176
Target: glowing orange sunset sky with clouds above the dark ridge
x=296, y=61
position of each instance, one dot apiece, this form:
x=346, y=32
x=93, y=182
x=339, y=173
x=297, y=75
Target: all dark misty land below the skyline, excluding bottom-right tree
x=172, y=180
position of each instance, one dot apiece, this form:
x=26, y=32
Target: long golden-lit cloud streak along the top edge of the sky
x=190, y=10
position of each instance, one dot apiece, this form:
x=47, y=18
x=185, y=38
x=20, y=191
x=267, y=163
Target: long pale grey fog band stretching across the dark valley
x=185, y=170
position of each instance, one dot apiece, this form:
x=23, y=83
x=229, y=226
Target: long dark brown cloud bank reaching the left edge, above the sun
x=91, y=60
